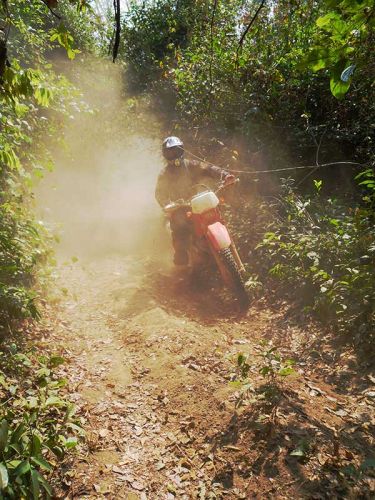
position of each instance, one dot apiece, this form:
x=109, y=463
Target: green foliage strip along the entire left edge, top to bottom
x=37, y=422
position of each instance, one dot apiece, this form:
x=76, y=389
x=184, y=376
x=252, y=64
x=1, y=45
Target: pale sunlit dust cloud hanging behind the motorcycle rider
x=99, y=199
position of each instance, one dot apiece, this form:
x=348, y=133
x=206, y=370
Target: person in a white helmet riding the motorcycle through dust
x=176, y=181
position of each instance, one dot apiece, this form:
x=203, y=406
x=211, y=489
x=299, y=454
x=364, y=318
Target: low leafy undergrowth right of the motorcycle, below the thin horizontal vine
x=321, y=252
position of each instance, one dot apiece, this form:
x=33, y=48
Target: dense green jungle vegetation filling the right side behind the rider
x=256, y=76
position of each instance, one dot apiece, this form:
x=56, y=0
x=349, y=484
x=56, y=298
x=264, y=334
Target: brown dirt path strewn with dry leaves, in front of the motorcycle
x=149, y=363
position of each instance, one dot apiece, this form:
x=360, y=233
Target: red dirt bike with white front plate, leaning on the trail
x=210, y=237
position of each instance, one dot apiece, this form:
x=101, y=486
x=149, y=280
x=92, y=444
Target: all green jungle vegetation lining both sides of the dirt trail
x=237, y=78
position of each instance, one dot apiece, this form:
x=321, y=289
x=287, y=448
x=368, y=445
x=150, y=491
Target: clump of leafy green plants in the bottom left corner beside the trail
x=37, y=422
